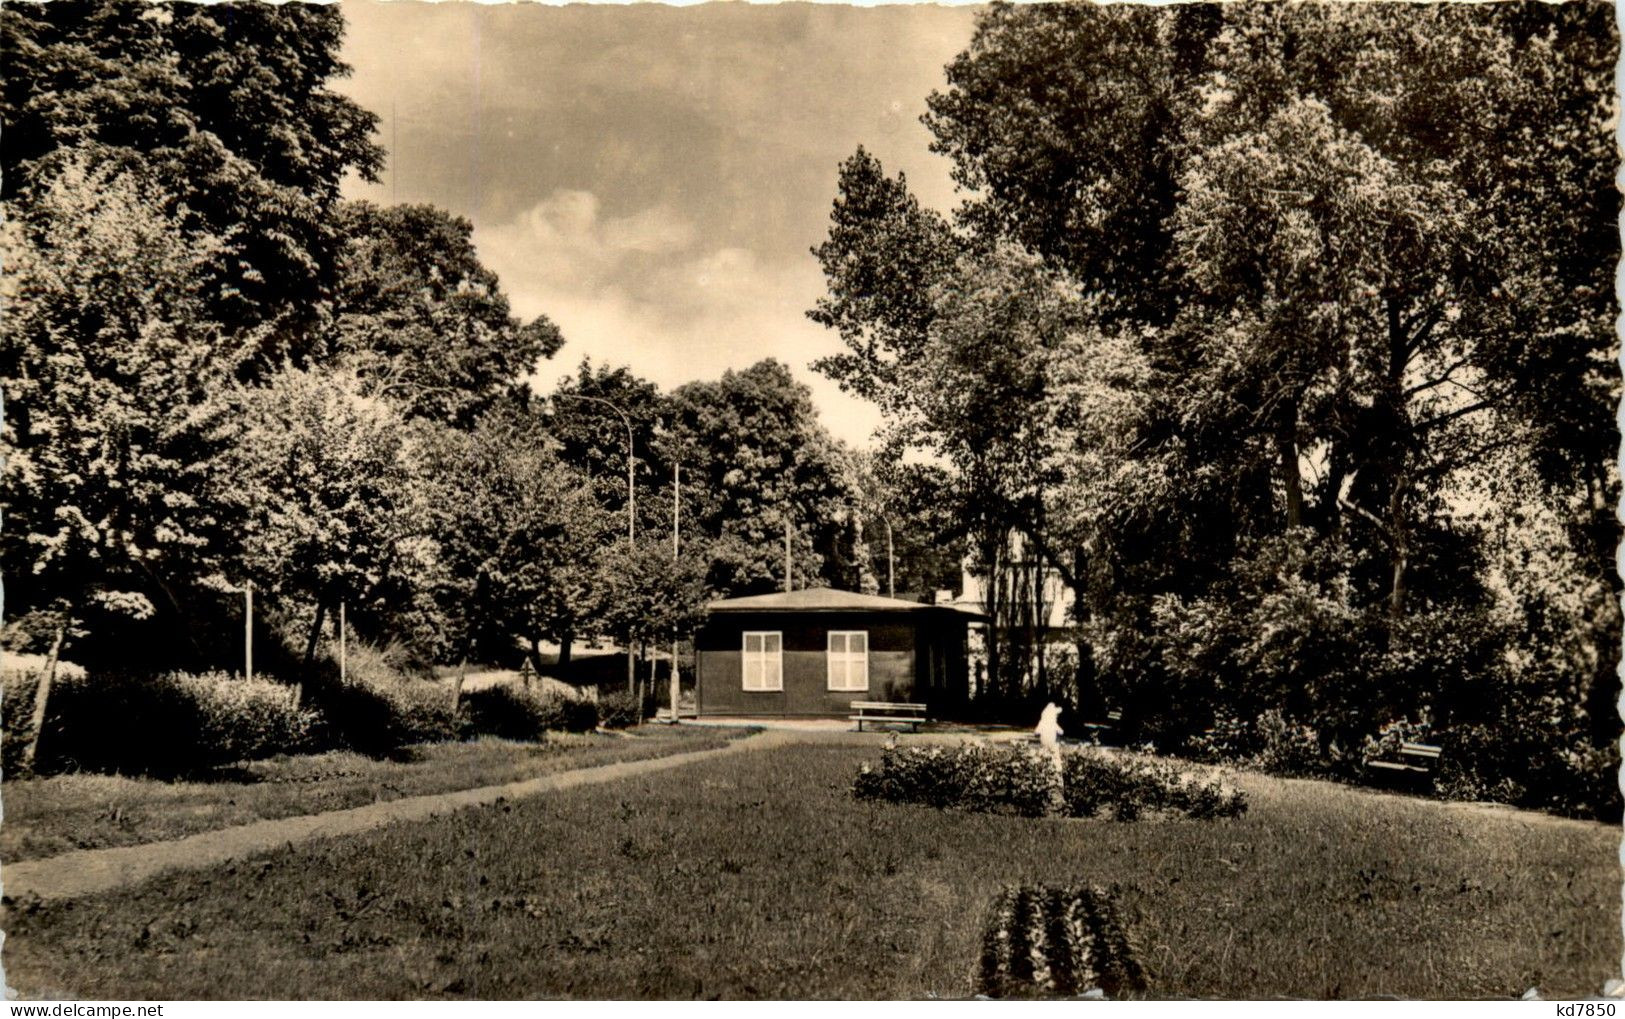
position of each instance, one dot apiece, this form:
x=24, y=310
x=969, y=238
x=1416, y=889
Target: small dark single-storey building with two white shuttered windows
x=813, y=653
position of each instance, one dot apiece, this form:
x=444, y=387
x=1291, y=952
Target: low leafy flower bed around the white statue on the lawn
x=1023, y=781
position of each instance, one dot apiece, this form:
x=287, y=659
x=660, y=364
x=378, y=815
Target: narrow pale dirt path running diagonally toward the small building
x=90, y=872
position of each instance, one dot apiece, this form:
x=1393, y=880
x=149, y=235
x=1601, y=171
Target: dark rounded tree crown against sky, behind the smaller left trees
x=423, y=321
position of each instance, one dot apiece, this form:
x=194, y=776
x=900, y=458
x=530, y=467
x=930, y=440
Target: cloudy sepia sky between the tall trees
x=654, y=178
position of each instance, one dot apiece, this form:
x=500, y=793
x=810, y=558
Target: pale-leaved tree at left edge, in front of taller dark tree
x=108, y=358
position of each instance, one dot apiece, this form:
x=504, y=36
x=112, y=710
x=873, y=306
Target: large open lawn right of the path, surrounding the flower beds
x=760, y=877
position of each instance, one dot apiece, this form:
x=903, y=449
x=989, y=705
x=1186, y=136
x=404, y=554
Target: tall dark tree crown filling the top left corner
x=228, y=108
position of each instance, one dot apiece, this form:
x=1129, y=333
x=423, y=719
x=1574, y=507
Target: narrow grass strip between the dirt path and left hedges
x=50, y=817
